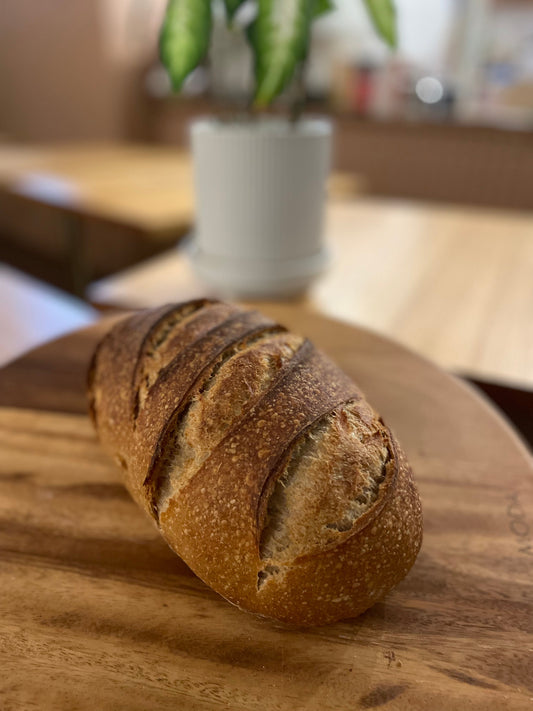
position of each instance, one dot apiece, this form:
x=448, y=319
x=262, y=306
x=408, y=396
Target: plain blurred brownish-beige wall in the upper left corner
x=58, y=78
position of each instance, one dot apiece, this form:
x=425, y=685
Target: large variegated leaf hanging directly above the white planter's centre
x=279, y=37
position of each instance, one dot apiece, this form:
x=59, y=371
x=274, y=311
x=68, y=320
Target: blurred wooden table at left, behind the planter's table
x=144, y=188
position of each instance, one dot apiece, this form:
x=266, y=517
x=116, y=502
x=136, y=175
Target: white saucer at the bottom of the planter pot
x=259, y=279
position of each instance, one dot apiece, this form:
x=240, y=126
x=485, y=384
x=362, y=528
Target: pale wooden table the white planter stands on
x=454, y=284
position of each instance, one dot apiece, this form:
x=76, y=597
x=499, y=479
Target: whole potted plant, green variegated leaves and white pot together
x=260, y=180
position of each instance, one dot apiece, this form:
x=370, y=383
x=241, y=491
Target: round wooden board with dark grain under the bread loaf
x=97, y=613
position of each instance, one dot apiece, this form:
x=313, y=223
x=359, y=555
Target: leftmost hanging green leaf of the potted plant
x=184, y=38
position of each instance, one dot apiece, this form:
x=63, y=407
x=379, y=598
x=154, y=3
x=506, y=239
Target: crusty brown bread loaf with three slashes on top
x=260, y=461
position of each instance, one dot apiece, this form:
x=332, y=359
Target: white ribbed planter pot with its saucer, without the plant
x=260, y=194
